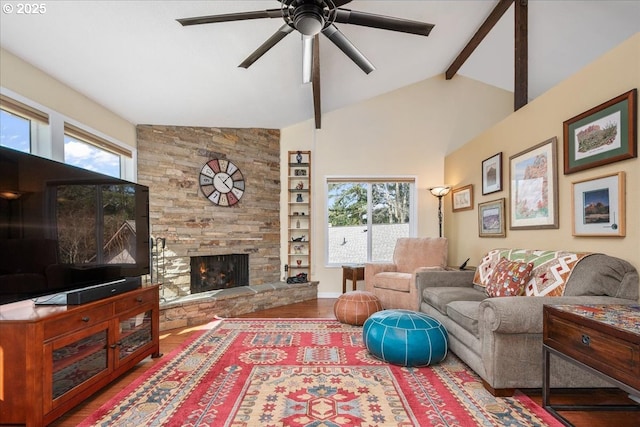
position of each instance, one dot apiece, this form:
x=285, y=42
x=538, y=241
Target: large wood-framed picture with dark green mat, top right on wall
x=605, y=134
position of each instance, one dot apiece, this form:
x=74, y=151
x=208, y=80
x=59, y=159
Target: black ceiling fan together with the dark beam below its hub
x=310, y=18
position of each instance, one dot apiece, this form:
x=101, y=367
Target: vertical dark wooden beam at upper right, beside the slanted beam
x=521, y=56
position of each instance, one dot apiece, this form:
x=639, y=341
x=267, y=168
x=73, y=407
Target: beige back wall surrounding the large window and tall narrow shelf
x=403, y=133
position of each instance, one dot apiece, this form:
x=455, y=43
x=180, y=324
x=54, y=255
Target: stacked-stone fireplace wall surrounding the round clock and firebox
x=170, y=159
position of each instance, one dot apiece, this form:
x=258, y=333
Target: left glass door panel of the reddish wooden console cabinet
x=78, y=361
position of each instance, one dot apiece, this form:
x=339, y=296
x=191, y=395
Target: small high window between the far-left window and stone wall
x=91, y=152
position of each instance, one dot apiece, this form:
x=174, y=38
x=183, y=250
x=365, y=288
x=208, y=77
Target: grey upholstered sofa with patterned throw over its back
x=500, y=337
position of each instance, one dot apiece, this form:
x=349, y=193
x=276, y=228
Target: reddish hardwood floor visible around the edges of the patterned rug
x=323, y=308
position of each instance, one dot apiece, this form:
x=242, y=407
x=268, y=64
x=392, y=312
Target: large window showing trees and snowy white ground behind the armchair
x=351, y=236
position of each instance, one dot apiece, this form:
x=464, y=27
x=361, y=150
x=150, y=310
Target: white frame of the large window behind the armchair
x=413, y=207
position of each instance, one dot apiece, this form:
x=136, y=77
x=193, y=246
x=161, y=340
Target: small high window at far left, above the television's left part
x=20, y=125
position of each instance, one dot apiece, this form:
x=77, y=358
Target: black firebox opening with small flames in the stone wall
x=219, y=272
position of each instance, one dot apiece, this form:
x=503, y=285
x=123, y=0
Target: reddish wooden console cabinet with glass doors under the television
x=53, y=357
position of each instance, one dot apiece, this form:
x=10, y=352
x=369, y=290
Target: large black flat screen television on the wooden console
x=63, y=227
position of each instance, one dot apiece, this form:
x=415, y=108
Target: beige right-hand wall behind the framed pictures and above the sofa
x=616, y=72
